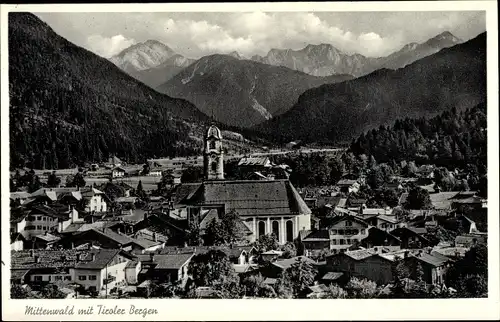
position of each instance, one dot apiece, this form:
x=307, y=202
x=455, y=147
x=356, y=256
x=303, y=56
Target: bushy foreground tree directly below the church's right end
x=299, y=276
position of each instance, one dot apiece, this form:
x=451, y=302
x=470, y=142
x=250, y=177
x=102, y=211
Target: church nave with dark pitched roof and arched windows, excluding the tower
x=265, y=206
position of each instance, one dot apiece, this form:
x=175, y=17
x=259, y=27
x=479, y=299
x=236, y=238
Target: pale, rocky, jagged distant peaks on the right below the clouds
x=325, y=59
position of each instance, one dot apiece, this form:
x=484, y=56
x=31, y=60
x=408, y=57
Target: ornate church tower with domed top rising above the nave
x=213, y=156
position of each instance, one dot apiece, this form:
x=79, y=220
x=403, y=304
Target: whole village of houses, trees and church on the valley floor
x=216, y=226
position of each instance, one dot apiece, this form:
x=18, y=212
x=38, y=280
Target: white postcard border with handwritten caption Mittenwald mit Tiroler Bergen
x=183, y=310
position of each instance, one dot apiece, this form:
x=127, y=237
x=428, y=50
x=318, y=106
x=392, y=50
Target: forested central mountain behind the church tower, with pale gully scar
x=241, y=92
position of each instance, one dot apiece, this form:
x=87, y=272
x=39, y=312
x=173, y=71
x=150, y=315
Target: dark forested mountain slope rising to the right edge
x=452, y=77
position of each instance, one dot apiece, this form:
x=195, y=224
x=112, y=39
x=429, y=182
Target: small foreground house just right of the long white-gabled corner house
x=165, y=268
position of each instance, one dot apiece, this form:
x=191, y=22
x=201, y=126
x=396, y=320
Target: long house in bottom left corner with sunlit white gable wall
x=97, y=270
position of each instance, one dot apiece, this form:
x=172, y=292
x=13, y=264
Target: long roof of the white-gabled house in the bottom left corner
x=58, y=259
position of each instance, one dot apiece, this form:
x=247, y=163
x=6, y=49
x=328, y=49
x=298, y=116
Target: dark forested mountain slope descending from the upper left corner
x=68, y=105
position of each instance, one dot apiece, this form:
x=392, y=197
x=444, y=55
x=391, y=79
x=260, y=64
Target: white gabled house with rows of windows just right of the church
x=346, y=231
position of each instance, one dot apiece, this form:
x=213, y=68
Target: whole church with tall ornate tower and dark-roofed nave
x=264, y=206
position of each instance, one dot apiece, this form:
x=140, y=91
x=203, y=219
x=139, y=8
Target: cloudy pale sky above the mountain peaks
x=195, y=34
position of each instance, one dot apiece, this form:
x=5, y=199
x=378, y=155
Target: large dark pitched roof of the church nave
x=251, y=197
